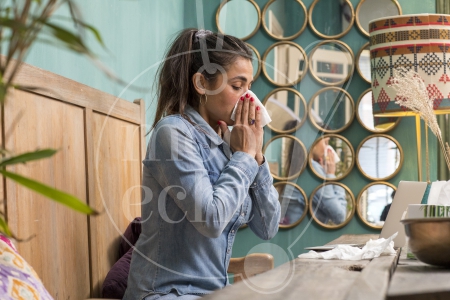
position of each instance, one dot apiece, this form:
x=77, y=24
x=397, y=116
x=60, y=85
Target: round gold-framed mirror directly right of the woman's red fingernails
x=287, y=109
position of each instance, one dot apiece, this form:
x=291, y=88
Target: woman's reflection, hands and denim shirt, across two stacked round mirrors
x=329, y=203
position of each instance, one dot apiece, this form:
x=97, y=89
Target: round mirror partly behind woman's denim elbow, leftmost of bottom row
x=293, y=202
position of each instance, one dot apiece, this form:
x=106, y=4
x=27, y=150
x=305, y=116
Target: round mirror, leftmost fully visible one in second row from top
x=285, y=63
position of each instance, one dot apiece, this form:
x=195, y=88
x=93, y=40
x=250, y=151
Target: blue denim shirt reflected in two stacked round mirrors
x=330, y=199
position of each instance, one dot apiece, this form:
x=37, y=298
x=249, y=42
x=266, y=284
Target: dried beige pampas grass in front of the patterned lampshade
x=412, y=94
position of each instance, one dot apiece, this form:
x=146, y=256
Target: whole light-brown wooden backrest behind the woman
x=101, y=144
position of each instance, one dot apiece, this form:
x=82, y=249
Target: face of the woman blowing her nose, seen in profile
x=226, y=91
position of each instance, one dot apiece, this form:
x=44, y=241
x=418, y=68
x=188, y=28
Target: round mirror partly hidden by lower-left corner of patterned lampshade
x=364, y=114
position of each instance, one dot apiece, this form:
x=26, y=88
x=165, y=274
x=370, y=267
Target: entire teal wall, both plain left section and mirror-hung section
x=137, y=33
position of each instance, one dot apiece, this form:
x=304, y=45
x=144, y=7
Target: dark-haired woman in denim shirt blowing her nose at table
x=198, y=190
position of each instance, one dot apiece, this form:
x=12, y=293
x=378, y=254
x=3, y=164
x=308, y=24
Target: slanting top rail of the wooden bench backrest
x=61, y=88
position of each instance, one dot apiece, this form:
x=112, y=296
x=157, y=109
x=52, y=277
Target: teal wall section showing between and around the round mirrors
x=287, y=244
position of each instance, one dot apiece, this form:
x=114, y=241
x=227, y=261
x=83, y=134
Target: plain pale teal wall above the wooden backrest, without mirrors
x=136, y=34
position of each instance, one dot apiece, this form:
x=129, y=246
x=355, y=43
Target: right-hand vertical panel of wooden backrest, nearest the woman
x=117, y=169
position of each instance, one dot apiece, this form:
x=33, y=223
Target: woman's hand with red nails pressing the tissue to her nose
x=246, y=137
